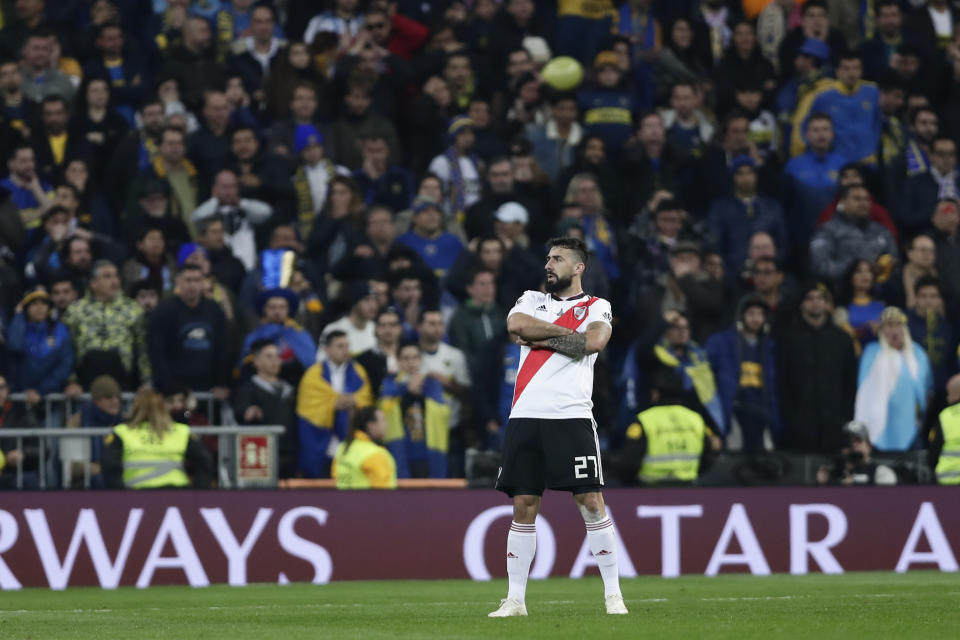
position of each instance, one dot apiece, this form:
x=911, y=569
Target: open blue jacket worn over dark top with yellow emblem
x=723, y=350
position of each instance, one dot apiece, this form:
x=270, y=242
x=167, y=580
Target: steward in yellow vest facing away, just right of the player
x=667, y=443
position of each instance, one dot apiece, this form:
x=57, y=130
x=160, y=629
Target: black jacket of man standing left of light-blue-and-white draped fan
x=817, y=380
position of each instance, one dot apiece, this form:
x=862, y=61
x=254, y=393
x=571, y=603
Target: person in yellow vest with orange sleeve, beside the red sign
x=361, y=462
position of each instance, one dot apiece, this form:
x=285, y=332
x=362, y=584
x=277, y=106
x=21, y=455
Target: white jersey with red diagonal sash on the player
x=551, y=385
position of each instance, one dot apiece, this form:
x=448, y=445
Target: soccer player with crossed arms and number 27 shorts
x=551, y=440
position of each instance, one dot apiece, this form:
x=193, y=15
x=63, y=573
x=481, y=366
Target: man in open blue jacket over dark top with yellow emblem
x=742, y=359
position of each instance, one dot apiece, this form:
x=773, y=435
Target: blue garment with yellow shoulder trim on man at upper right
x=856, y=116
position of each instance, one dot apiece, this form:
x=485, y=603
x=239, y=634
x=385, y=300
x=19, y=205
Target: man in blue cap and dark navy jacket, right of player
x=733, y=219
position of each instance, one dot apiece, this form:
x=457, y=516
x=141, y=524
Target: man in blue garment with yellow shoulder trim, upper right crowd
x=854, y=106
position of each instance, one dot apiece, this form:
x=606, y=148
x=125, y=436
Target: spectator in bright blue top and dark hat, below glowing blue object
x=296, y=348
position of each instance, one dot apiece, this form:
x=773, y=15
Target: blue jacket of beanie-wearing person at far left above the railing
x=45, y=354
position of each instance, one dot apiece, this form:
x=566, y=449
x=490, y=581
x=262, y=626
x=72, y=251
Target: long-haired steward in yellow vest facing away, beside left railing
x=150, y=450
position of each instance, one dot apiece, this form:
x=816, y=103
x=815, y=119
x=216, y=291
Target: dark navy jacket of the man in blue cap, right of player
x=732, y=224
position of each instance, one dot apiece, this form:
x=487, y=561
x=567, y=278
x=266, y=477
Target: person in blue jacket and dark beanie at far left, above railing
x=42, y=346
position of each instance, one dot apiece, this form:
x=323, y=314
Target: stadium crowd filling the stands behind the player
x=308, y=208
